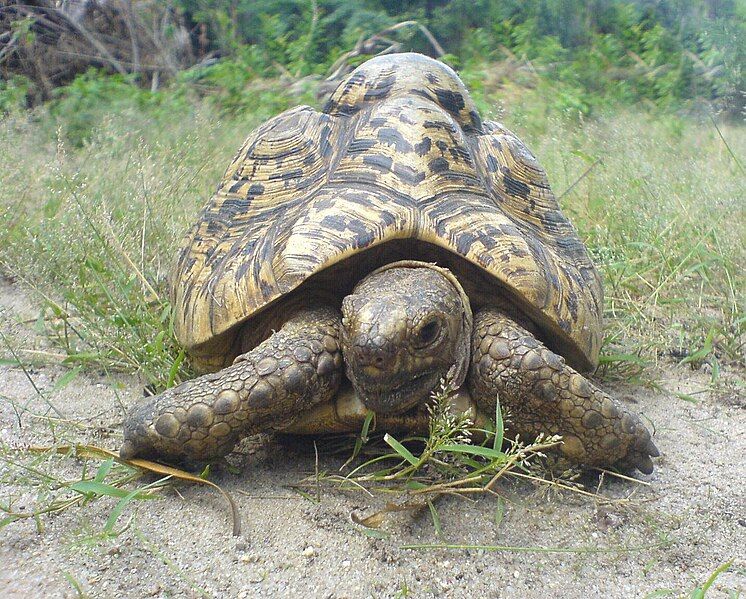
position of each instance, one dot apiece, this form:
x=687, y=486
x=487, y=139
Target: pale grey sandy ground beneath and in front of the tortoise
x=687, y=520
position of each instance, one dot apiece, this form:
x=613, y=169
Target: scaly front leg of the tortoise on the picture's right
x=544, y=395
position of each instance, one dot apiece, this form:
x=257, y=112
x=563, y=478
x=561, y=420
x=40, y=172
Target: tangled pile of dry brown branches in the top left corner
x=51, y=42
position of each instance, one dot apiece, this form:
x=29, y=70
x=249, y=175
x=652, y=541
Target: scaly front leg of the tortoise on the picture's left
x=264, y=389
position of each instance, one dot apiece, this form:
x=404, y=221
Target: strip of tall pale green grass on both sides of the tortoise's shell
x=92, y=229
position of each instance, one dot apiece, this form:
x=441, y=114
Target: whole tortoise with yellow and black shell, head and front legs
x=354, y=257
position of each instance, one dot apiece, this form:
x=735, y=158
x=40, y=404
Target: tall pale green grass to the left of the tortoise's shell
x=92, y=230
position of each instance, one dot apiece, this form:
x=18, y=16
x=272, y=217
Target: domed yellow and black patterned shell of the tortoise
x=399, y=153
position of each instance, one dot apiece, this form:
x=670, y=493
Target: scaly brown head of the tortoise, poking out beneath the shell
x=405, y=327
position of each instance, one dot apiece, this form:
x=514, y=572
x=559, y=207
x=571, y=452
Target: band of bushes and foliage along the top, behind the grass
x=581, y=55
